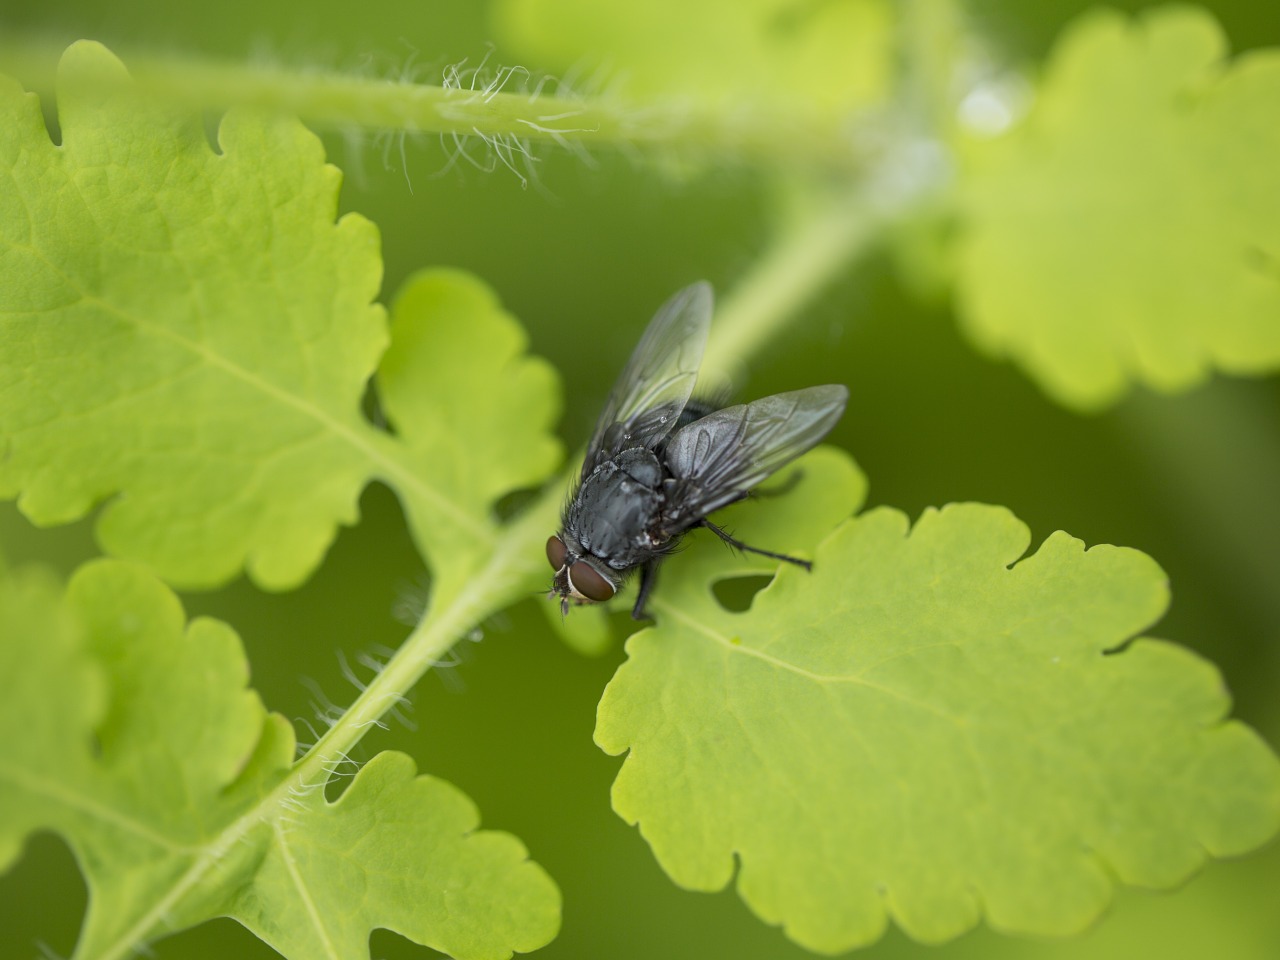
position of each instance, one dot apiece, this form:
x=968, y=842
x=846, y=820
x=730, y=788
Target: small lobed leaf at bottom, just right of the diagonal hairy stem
x=400, y=853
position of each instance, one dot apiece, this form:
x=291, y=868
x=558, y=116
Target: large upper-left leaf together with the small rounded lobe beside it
x=188, y=335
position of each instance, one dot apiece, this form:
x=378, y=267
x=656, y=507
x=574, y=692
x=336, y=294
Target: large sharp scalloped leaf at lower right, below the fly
x=930, y=730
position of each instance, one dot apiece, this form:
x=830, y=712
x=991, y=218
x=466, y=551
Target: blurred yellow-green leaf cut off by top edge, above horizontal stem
x=796, y=58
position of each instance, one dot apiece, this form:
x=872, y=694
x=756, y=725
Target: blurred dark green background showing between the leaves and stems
x=583, y=260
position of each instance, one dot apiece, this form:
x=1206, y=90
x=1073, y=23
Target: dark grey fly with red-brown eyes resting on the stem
x=660, y=463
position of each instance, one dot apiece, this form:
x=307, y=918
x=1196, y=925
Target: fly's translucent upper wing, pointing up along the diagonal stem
x=659, y=380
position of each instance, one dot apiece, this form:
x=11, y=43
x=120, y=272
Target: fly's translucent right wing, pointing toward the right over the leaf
x=717, y=459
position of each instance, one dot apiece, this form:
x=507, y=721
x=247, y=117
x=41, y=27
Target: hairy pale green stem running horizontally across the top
x=502, y=112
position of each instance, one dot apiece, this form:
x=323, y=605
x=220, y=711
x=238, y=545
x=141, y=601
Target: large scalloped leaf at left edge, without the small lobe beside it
x=189, y=328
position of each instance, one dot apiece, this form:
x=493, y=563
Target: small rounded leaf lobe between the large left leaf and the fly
x=474, y=415
